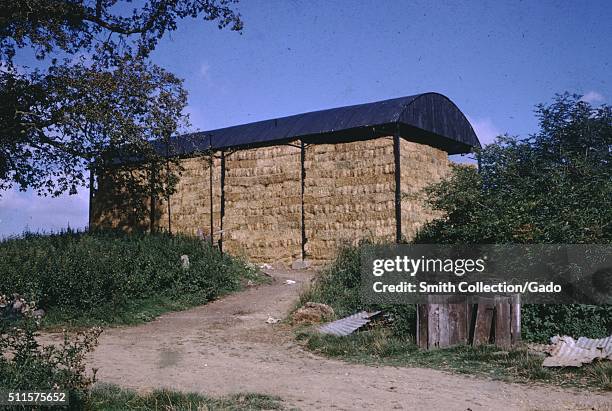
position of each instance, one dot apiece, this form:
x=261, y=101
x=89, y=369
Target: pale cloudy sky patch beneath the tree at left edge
x=21, y=210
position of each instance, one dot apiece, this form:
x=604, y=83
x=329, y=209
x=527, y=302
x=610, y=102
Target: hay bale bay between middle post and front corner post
x=349, y=195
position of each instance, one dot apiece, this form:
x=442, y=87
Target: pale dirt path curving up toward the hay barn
x=226, y=347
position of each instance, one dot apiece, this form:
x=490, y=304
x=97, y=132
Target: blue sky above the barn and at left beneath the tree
x=495, y=60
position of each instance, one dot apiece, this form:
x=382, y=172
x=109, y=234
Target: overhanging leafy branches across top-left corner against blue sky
x=76, y=26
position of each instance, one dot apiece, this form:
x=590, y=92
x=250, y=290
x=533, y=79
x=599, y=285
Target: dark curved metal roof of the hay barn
x=428, y=118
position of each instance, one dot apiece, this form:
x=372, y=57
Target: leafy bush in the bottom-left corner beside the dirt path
x=26, y=364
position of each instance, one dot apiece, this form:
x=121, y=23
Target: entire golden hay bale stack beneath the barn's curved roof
x=349, y=191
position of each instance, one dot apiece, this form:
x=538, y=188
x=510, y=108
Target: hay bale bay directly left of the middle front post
x=263, y=204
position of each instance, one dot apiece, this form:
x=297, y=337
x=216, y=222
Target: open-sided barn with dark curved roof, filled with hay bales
x=296, y=188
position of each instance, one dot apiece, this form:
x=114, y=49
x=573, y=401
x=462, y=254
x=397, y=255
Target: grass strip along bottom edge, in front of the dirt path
x=112, y=398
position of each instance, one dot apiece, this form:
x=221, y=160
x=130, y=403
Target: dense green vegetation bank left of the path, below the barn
x=108, y=277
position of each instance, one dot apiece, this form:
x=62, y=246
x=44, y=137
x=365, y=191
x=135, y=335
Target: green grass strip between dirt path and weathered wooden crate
x=379, y=346
